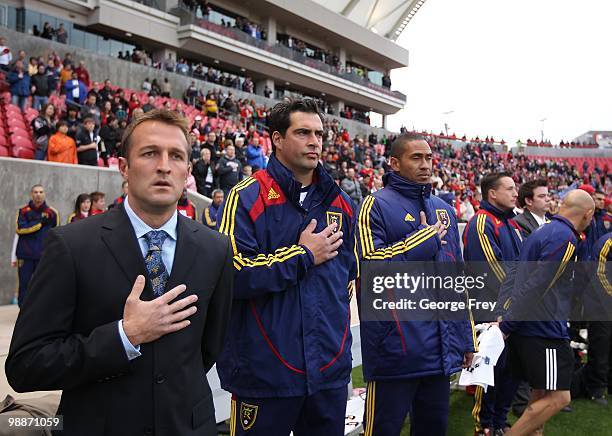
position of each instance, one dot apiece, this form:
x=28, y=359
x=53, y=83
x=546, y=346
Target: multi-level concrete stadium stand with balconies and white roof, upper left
x=167, y=27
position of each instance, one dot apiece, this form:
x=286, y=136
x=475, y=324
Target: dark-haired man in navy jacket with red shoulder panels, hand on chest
x=287, y=360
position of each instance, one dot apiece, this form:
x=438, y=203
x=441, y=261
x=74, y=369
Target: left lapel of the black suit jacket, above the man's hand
x=118, y=235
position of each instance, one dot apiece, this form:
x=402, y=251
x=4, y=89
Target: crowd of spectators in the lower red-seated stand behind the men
x=90, y=124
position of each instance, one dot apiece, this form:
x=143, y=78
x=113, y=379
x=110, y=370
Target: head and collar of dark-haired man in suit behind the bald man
x=535, y=201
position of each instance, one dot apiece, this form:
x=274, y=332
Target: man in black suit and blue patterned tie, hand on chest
x=118, y=316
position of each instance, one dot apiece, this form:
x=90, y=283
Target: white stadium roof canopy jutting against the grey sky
x=388, y=18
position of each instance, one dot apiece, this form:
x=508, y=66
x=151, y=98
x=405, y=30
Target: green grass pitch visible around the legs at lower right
x=588, y=419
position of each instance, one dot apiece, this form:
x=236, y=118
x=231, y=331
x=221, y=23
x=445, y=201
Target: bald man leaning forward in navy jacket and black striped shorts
x=535, y=324
